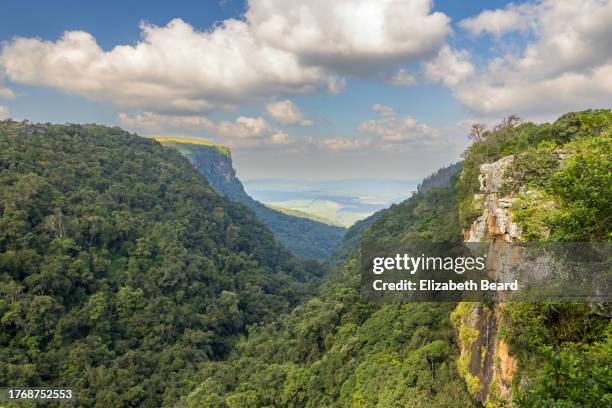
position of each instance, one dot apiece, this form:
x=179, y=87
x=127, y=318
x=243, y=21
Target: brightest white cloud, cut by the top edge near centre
x=351, y=37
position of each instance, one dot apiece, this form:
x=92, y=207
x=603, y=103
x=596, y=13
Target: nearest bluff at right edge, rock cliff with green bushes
x=556, y=186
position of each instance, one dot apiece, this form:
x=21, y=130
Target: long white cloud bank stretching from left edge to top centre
x=275, y=49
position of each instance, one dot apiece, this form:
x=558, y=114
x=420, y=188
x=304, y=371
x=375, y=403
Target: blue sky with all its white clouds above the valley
x=310, y=90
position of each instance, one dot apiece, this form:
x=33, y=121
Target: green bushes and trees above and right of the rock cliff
x=561, y=177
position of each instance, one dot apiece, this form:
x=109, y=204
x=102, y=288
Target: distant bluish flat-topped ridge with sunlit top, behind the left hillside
x=306, y=238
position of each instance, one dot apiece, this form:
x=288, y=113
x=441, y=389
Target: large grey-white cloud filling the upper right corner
x=567, y=65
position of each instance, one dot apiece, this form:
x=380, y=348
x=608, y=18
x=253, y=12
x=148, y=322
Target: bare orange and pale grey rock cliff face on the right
x=485, y=362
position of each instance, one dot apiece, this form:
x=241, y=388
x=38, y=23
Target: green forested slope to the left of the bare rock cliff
x=335, y=350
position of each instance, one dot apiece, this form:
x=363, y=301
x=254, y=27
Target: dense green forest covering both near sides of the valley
x=125, y=276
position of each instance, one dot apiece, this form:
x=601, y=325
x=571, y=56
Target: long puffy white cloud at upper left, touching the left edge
x=173, y=68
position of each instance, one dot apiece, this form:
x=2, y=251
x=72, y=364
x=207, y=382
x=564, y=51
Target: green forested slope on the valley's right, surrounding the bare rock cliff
x=337, y=351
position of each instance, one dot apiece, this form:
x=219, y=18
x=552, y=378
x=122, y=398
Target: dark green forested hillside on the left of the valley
x=121, y=271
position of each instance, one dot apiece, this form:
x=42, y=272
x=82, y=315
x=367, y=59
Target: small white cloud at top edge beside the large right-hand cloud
x=515, y=17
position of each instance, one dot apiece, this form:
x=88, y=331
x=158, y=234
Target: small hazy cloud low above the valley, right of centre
x=391, y=128
